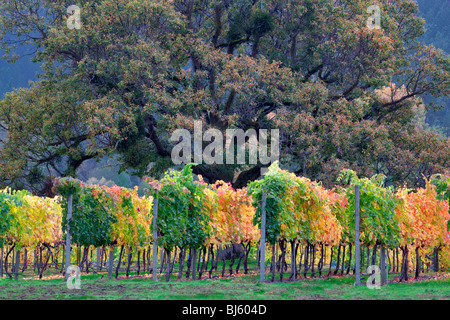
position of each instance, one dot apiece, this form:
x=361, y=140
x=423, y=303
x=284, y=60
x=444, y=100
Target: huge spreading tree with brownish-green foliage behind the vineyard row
x=137, y=70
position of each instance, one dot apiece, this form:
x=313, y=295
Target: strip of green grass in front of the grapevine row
x=241, y=287
